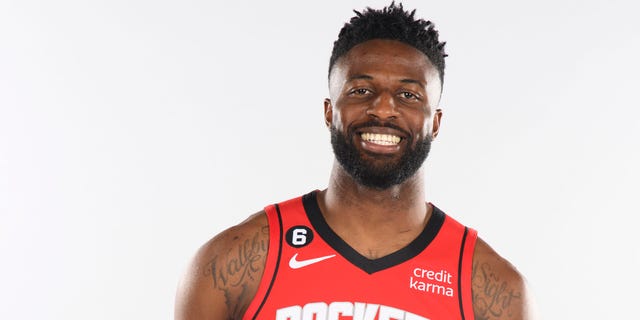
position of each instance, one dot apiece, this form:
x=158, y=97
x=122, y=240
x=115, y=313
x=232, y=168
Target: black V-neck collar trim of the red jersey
x=367, y=265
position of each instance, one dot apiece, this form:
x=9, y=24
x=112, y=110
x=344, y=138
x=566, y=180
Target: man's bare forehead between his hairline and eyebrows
x=388, y=56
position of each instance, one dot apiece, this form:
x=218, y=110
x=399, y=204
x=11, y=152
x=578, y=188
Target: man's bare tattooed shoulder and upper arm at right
x=499, y=290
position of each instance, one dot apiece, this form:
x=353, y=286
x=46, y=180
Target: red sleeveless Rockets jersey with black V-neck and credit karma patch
x=312, y=274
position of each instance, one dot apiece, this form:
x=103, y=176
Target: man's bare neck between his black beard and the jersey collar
x=374, y=222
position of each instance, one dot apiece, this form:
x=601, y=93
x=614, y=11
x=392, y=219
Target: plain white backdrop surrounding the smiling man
x=133, y=131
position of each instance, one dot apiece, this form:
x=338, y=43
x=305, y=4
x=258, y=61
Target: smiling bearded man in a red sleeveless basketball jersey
x=368, y=246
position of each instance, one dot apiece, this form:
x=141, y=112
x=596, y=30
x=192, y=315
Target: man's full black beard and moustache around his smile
x=366, y=172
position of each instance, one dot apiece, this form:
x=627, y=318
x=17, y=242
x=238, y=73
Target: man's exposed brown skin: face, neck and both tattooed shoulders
x=389, y=81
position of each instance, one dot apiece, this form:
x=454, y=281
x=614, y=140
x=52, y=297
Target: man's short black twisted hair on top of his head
x=393, y=23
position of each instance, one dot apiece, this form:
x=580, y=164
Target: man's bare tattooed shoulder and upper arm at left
x=224, y=274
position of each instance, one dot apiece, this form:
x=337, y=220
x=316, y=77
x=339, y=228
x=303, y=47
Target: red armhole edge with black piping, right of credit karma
x=466, y=269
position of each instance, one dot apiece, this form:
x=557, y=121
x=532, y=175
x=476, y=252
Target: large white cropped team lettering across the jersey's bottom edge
x=336, y=310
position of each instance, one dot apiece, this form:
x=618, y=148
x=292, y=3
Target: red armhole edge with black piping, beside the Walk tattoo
x=271, y=265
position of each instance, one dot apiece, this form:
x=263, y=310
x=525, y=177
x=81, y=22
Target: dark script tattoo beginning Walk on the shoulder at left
x=232, y=272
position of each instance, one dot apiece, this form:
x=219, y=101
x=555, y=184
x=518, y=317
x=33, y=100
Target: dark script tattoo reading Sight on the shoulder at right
x=492, y=298
